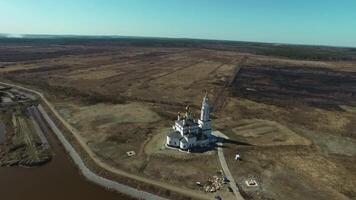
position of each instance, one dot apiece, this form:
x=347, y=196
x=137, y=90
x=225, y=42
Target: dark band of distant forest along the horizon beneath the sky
x=102, y=44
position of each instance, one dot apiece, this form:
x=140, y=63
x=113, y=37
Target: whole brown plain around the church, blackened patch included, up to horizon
x=290, y=110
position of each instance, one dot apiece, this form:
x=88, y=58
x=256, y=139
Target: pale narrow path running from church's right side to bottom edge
x=225, y=167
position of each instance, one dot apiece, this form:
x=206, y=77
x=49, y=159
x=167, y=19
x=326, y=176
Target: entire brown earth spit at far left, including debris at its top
x=24, y=132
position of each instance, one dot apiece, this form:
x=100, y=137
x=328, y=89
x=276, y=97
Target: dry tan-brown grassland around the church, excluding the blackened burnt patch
x=300, y=151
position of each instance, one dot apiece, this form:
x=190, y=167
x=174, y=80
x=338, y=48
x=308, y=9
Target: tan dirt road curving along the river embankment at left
x=94, y=157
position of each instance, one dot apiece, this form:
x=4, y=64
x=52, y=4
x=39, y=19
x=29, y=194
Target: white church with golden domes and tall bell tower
x=188, y=133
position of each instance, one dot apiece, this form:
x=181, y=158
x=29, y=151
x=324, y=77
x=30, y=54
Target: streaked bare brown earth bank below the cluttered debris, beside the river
x=22, y=144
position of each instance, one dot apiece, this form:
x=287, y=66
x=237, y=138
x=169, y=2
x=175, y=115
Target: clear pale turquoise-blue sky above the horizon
x=327, y=22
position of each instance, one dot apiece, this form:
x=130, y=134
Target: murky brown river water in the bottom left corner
x=57, y=180
